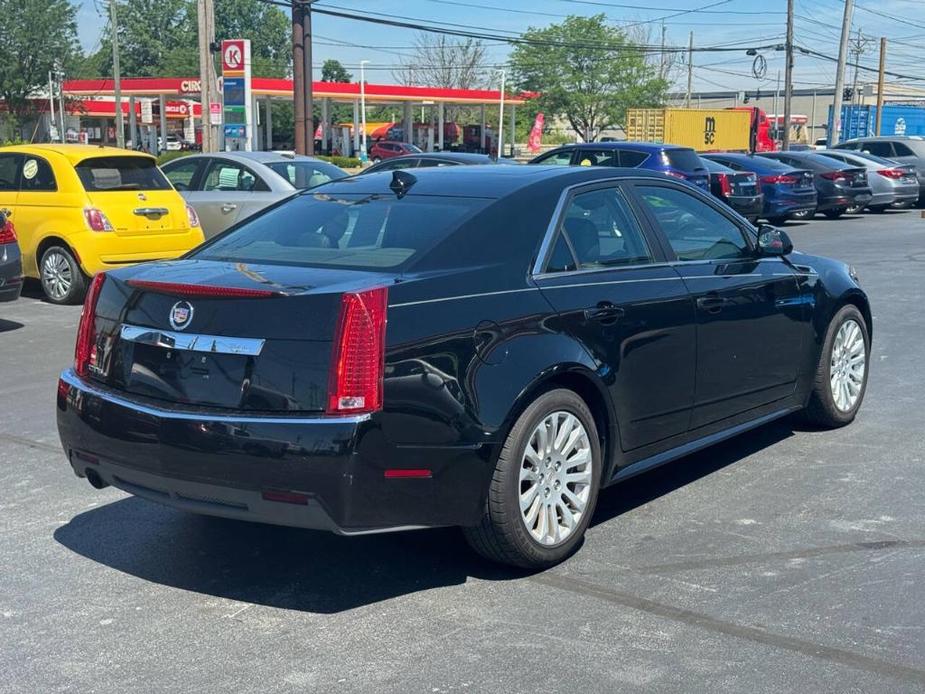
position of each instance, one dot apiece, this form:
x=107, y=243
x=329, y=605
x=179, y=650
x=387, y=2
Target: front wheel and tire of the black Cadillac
x=827, y=407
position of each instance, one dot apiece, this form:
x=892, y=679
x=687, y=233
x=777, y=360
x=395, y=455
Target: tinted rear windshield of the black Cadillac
x=363, y=232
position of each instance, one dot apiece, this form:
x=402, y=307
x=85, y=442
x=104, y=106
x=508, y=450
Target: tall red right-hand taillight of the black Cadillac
x=358, y=357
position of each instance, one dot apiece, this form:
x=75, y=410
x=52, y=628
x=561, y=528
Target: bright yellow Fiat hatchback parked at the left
x=80, y=209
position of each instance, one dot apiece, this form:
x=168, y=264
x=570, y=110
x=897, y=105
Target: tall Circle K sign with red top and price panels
x=236, y=93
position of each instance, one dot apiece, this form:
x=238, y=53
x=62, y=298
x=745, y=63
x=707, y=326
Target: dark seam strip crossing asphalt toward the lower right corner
x=703, y=621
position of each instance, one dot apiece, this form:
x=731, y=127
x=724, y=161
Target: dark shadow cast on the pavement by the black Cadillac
x=305, y=570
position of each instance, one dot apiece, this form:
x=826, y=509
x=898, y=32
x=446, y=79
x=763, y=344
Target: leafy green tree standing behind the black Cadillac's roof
x=586, y=72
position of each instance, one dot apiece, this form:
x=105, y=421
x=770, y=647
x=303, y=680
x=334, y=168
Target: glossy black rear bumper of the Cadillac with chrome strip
x=331, y=470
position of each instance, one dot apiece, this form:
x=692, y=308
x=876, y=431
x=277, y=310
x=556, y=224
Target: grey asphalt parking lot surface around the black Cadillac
x=784, y=560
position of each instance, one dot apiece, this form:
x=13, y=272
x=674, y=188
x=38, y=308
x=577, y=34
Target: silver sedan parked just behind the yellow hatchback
x=227, y=187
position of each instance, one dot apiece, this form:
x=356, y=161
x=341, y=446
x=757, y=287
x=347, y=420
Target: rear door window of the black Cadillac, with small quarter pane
x=602, y=231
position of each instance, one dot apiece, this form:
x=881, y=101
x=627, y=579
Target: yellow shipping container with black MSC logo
x=705, y=130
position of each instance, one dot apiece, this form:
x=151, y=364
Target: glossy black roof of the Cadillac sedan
x=478, y=181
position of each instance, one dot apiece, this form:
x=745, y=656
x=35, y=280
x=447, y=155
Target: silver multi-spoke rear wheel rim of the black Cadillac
x=555, y=478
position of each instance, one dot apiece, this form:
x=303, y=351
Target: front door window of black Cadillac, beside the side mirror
x=694, y=229
